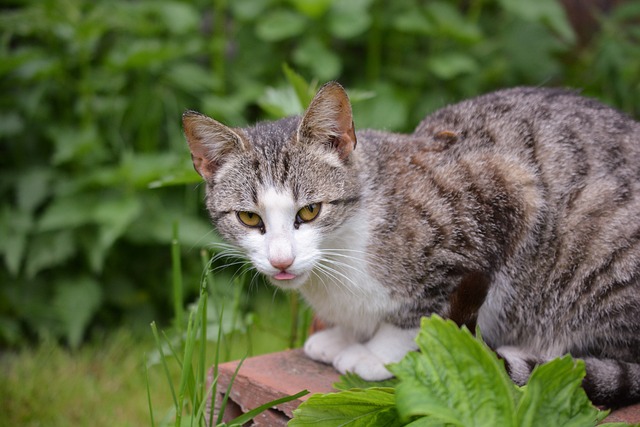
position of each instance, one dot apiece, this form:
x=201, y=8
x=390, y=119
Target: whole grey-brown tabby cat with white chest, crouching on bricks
x=518, y=210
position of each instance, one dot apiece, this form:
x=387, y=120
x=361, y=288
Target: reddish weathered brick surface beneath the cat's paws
x=265, y=378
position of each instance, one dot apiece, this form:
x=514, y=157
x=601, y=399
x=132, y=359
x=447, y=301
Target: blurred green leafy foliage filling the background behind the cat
x=92, y=92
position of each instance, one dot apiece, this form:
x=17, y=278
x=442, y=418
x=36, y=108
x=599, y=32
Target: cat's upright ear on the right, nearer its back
x=329, y=120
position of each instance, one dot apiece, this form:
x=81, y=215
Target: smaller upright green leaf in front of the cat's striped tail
x=554, y=396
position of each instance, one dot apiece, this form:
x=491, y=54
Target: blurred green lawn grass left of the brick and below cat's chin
x=103, y=383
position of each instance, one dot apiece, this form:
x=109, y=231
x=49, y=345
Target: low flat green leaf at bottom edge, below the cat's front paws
x=370, y=407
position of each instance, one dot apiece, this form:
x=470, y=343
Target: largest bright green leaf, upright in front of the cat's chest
x=455, y=379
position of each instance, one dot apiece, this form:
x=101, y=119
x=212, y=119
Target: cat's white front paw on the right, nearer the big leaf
x=388, y=345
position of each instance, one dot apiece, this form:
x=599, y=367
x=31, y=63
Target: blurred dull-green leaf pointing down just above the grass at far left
x=75, y=302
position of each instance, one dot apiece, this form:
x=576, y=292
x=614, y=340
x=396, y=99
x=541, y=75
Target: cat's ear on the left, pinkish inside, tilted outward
x=209, y=141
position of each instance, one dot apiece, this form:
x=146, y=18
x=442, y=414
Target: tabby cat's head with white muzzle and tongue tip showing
x=280, y=190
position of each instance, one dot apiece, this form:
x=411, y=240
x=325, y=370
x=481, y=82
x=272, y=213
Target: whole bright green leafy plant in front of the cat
x=456, y=380
